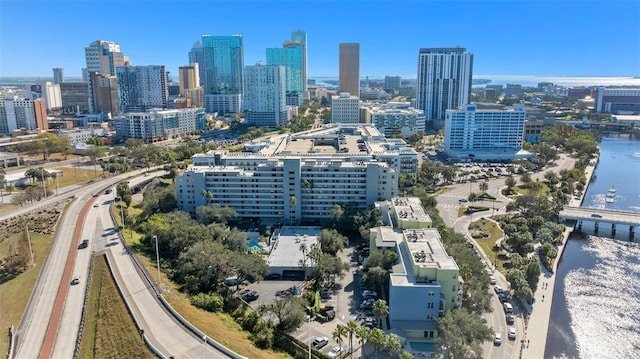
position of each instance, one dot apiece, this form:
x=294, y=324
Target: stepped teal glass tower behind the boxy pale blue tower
x=291, y=57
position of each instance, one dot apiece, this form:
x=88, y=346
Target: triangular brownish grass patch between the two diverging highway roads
x=109, y=330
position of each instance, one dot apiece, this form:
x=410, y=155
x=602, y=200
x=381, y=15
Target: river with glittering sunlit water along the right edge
x=596, y=303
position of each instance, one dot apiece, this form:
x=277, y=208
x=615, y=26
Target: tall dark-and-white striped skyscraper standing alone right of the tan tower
x=444, y=81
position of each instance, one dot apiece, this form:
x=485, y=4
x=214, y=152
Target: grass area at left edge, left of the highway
x=15, y=292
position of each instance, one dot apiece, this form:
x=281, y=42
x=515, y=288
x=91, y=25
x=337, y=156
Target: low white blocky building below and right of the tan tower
x=394, y=118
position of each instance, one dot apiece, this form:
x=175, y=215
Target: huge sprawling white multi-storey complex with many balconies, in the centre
x=311, y=167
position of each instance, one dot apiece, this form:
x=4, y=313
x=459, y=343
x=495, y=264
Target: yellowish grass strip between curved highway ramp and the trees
x=218, y=326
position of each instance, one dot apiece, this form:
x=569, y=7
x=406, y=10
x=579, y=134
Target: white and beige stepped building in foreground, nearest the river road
x=425, y=281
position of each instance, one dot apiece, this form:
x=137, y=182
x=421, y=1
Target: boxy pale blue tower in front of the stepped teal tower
x=264, y=101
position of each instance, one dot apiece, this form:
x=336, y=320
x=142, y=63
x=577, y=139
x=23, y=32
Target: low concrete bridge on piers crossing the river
x=596, y=215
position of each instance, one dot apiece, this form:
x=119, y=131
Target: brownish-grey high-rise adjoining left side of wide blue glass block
x=104, y=94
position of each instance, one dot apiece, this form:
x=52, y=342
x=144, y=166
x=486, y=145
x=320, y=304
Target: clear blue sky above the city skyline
x=554, y=38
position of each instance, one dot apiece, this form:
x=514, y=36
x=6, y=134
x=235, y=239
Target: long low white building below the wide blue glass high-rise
x=156, y=125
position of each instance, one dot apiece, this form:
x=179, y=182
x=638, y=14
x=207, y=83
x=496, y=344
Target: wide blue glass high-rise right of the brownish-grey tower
x=141, y=88
